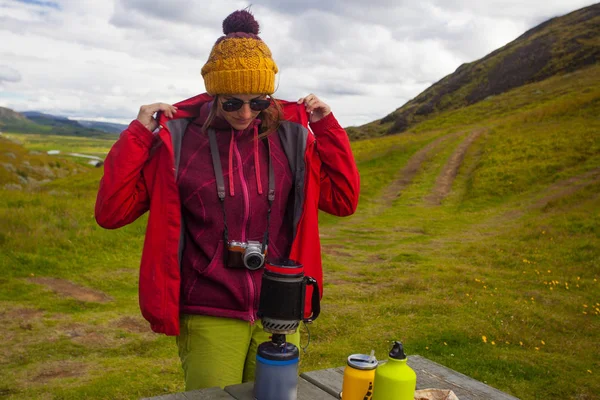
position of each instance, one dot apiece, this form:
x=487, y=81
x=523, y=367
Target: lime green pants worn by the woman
x=220, y=351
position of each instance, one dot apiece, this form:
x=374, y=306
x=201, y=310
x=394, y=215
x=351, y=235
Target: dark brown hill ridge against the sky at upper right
x=557, y=46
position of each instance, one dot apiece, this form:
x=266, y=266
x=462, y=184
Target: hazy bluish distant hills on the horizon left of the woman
x=37, y=122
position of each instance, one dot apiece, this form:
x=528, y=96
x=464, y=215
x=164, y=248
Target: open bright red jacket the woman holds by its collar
x=140, y=172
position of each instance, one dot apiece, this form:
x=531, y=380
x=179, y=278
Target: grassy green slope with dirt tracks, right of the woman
x=477, y=243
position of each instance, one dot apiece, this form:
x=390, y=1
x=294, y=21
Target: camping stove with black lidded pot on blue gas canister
x=281, y=309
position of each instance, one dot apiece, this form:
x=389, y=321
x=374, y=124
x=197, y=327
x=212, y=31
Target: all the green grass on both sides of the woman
x=499, y=282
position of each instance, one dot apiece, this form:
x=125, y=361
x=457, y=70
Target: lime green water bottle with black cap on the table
x=395, y=380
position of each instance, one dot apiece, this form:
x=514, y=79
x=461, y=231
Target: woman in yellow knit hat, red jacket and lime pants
x=221, y=170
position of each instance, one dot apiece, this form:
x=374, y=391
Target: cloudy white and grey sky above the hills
x=103, y=59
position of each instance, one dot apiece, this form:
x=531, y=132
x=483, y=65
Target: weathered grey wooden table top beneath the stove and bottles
x=326, y=384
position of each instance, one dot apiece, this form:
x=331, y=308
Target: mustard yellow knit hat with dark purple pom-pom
x=240, y=62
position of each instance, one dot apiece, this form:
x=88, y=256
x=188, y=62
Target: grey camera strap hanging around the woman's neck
x=216, y=159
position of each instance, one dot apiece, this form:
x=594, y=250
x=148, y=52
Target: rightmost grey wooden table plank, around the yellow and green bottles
x=429, y=375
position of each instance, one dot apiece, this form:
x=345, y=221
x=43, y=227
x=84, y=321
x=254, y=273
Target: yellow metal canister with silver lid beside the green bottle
x=359, y=377
